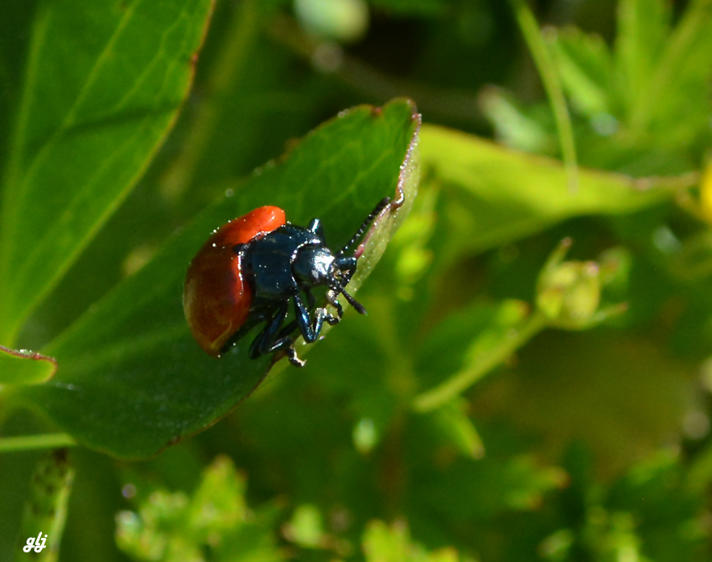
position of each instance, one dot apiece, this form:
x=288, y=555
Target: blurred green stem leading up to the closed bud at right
x=443, y=393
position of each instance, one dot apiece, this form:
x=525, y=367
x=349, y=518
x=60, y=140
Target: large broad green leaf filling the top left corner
x=102, y=86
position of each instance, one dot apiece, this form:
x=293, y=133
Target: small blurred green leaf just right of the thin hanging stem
x=585, y=66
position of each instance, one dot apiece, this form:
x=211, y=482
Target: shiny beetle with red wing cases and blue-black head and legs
x=249, y=270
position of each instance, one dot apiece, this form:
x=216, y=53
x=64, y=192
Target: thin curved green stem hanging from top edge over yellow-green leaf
x=550, y=79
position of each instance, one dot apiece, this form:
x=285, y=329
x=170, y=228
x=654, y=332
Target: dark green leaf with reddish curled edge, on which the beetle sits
x=131, y=378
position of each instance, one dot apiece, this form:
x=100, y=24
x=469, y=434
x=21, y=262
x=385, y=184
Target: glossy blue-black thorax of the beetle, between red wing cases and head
x=267, y=262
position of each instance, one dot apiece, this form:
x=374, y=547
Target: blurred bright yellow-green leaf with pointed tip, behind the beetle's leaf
x=496, y=195
